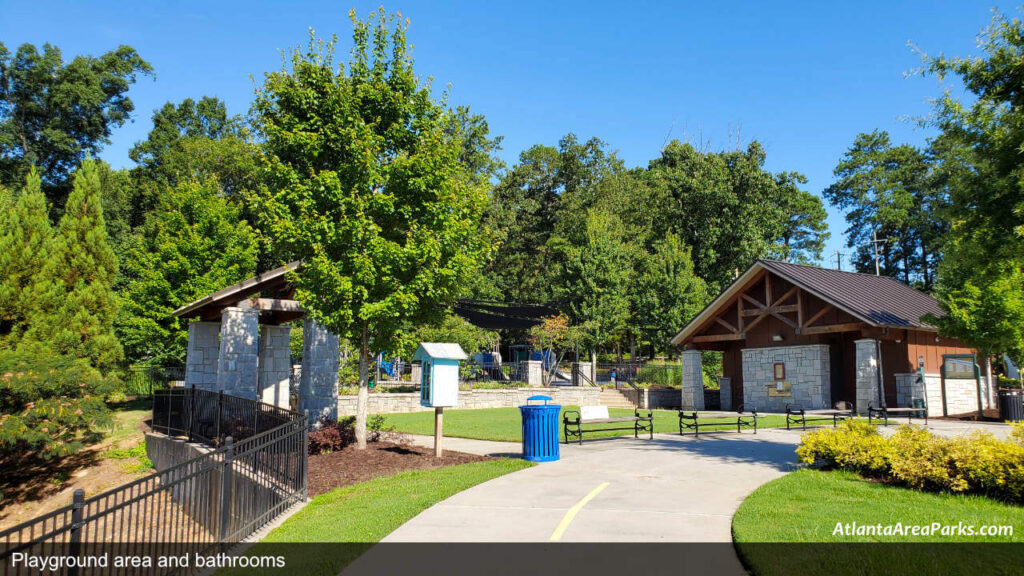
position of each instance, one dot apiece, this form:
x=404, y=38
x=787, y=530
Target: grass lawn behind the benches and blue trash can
x=506, y=424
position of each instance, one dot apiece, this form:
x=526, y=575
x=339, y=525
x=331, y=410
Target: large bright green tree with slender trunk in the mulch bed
x=367, y=188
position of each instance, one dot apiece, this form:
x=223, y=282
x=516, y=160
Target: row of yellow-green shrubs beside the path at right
x=979, y=464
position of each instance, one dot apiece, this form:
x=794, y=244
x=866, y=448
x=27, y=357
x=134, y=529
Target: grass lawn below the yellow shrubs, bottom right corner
x=805, y=507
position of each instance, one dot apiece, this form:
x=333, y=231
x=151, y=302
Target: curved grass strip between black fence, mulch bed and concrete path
x=363, y=514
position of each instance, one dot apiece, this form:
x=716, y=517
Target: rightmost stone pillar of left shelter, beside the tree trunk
x=319, y=383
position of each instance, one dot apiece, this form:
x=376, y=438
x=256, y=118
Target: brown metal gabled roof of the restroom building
x=878, y=301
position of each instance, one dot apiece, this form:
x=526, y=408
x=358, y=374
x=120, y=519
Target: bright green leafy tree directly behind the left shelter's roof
x=196, y=244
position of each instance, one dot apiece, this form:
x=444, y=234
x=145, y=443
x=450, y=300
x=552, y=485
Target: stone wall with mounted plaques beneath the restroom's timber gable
x=806, y=371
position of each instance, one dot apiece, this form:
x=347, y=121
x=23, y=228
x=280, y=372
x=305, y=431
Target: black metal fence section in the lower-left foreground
x=201, y=505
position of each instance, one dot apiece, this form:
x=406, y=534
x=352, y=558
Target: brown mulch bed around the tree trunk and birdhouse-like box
x=350, y=466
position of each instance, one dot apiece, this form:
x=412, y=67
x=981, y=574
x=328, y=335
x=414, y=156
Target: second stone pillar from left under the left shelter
x=238, y=364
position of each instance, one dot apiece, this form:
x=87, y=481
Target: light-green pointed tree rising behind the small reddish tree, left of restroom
x=593, y=272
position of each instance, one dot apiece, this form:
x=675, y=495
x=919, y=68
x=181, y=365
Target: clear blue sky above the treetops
x=802, y=78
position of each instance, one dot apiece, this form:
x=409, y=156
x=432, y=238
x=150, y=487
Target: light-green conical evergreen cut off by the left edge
x=26, y=238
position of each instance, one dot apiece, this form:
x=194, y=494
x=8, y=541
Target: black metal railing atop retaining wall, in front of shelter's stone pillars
x=210, y=418
